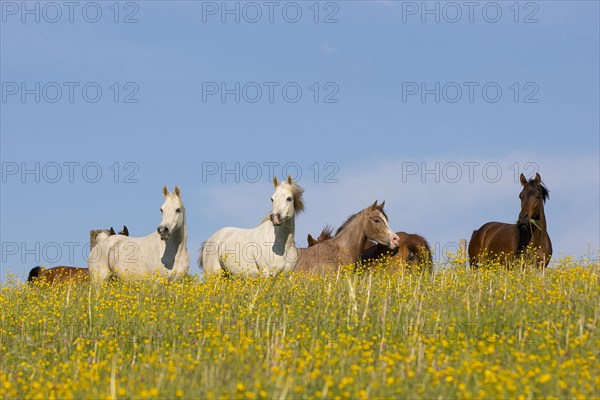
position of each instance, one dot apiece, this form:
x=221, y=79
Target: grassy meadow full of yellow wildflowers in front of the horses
x=466, y=334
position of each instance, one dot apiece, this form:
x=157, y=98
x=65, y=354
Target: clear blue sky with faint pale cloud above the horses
x=508, y=89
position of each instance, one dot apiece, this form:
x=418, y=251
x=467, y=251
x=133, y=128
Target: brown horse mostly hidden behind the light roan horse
x=413, y=250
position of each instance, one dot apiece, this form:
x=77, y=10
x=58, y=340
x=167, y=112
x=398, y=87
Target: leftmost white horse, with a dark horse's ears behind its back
x=162, y=253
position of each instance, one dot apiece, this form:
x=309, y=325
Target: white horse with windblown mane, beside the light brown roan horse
x=267, y=249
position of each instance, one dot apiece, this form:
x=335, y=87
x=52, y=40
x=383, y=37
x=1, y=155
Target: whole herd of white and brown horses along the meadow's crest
x=365, y=240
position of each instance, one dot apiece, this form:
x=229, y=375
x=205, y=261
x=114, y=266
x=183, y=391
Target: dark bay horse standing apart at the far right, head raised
x=507, y=242
